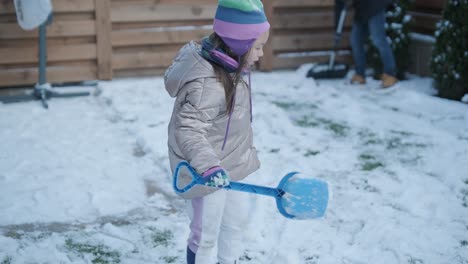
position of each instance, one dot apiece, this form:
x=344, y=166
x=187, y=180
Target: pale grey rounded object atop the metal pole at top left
x=32, y=13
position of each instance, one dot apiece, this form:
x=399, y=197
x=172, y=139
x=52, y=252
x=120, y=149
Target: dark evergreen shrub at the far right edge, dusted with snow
x=449, y=64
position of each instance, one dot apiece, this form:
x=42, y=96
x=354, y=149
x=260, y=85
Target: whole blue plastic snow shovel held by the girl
x=297, y=197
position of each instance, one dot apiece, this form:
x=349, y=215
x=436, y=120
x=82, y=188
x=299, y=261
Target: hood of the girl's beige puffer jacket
x=186, y=67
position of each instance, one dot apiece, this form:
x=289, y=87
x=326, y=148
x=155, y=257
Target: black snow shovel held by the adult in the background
x=332, y=70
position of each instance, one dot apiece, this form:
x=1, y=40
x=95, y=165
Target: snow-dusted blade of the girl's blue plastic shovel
x=304, y=197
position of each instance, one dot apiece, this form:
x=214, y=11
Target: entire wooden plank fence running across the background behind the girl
x=103, y=39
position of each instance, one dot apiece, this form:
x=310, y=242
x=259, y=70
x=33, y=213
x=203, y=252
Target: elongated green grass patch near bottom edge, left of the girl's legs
x=101, y=253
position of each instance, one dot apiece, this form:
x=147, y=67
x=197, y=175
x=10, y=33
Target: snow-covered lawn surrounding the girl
x=88, y=180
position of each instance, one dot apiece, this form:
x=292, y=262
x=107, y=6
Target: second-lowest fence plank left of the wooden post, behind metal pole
x=55, y=53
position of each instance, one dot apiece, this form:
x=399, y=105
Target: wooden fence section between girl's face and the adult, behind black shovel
x=301, y=31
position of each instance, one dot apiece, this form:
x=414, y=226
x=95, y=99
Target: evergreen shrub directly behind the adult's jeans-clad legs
x=397, y=28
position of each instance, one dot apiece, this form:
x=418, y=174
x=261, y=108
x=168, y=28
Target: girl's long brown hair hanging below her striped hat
x=229, y=80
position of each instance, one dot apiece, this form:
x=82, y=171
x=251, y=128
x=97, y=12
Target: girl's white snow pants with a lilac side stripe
x=218, y=219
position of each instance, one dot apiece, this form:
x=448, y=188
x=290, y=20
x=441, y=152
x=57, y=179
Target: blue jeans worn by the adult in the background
x=376, y=27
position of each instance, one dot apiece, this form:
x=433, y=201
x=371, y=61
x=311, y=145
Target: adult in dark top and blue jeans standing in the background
x=369, y=20
